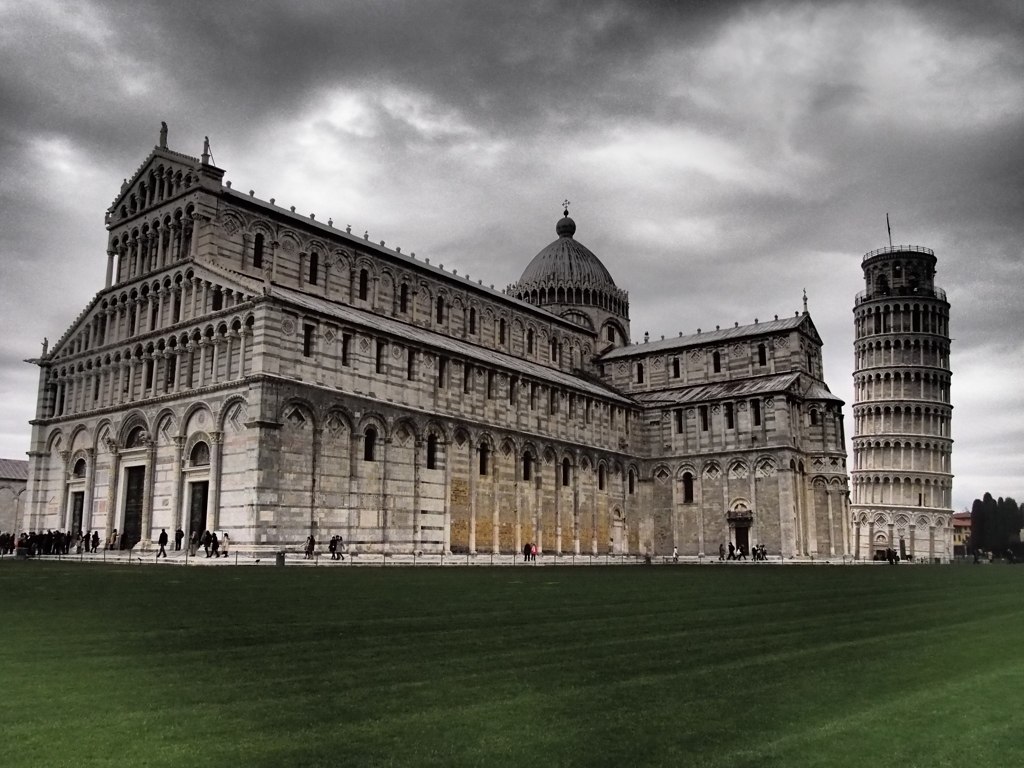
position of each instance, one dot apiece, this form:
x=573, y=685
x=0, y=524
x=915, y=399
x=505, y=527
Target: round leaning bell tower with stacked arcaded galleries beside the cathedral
x=903, y=484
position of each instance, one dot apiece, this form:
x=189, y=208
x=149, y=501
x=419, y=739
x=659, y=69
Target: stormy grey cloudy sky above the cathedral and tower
x=719, y=157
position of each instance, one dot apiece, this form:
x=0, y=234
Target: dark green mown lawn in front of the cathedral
x=764, y=666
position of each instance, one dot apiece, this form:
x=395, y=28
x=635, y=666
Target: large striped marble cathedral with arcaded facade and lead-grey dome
x=252, y=370
